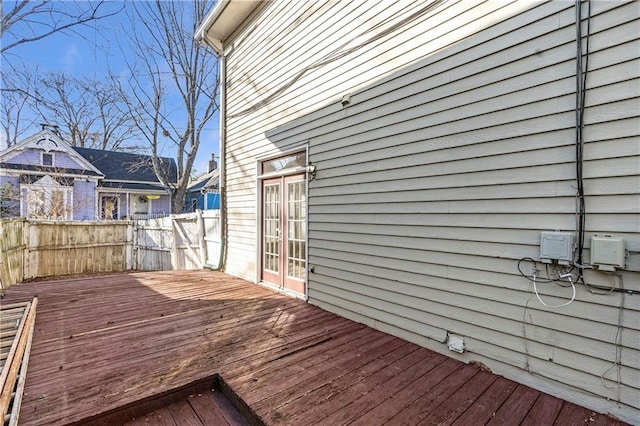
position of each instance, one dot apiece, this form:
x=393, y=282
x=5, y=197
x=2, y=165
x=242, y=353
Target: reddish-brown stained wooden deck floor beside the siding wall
x=101, y=343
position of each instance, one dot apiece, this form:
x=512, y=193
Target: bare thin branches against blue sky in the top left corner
x=26, y=21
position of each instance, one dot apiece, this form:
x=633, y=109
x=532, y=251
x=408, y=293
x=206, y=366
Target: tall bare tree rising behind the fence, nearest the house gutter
x=173, y=85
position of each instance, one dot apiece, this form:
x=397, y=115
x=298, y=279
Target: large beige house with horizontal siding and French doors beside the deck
x=426, y=146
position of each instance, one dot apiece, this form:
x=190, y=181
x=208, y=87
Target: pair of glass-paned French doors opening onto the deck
x=284, y=232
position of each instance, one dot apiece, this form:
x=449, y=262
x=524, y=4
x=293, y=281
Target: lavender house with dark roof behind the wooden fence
x=44, y=177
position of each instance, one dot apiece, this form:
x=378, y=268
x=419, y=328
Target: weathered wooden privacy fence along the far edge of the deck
x=33, y=249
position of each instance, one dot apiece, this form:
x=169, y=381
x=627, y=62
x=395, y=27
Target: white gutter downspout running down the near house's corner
x=223, y=143
